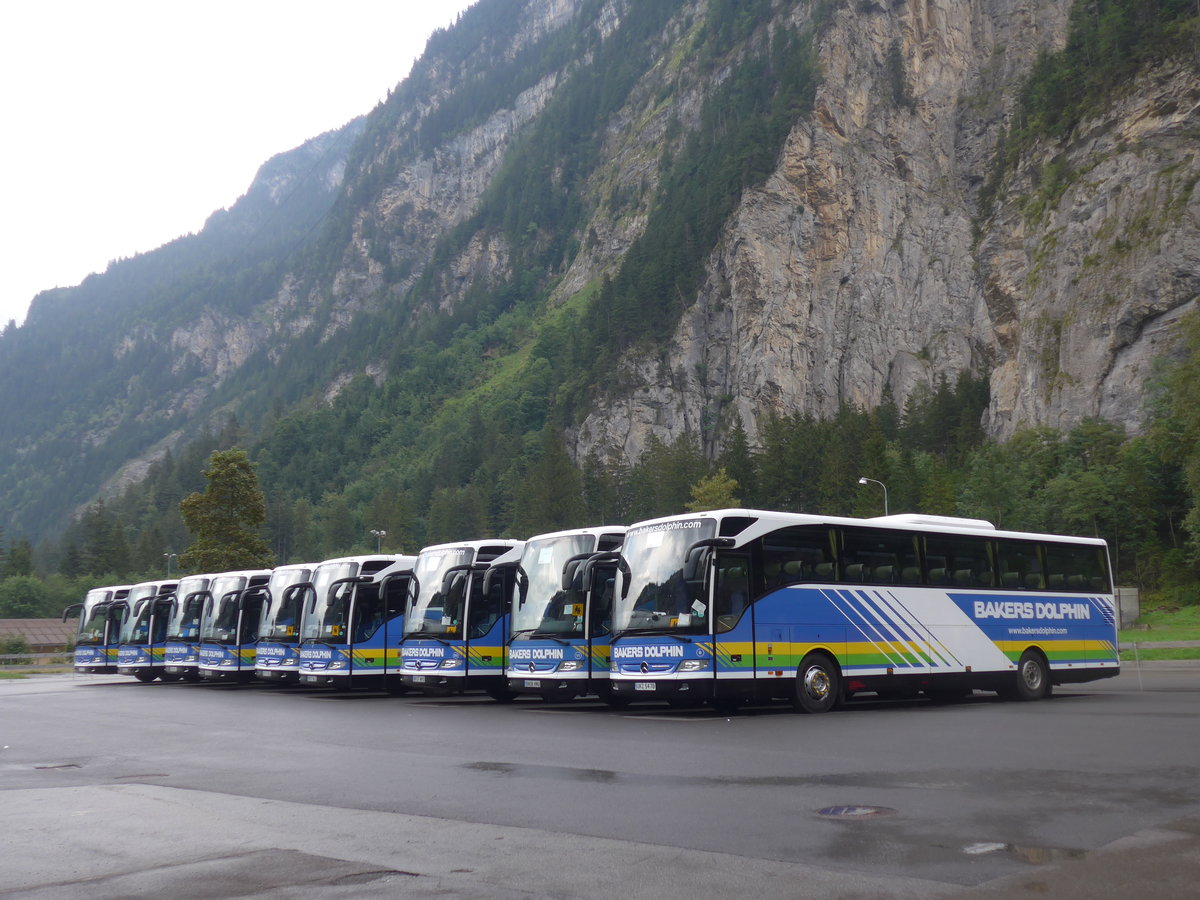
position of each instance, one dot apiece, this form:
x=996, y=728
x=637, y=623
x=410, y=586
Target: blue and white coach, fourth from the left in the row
x=230, y=626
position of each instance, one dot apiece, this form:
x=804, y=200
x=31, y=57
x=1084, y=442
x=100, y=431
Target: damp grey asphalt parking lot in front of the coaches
x=118, y=789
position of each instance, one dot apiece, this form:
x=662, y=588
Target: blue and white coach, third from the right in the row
x=455, y=632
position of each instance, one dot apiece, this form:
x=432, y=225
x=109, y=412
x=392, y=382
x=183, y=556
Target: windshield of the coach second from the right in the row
x=543, y=608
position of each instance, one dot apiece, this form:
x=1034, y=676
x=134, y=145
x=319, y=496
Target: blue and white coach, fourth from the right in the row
x=353, y=623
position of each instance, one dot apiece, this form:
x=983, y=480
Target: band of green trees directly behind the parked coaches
x=1138, y=493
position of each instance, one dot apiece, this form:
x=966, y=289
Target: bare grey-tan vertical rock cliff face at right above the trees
x=855, y=267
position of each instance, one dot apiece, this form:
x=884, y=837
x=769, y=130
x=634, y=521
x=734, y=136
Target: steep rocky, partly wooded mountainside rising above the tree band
x=633, y=223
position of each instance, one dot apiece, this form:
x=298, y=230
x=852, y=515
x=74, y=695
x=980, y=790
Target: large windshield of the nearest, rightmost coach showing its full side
x=653, y=593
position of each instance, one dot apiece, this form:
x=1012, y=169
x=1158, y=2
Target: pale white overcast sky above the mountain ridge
x=127, y=123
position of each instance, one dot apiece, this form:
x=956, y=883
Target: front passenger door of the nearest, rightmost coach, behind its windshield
x=733, y=623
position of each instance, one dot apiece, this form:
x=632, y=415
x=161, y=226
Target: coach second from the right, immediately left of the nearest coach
x=560, y=645
